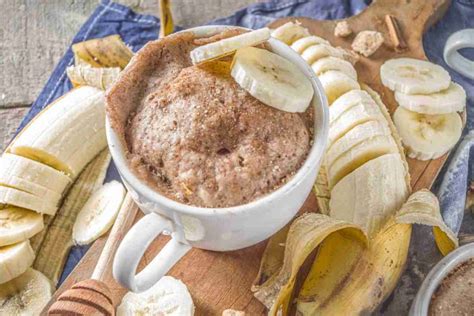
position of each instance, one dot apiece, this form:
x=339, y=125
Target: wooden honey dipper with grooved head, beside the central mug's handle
x=92, y=296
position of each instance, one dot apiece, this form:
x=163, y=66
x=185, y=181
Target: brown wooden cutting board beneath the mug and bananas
x=218, y=281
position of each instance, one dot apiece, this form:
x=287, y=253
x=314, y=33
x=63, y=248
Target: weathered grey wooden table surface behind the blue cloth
x=35, y=34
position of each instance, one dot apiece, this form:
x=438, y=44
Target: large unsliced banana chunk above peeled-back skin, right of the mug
x=371, y=194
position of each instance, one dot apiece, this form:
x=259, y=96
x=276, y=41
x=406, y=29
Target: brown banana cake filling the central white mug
x=195, y=135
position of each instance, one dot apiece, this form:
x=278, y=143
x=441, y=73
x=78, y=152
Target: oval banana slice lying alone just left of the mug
x=99, y=213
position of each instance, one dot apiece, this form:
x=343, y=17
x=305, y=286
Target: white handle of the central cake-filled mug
x=134, y=245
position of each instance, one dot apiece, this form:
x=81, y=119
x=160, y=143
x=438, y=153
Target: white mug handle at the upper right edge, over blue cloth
x=458, y=40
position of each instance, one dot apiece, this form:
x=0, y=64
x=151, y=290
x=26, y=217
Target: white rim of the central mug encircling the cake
x=314, y=156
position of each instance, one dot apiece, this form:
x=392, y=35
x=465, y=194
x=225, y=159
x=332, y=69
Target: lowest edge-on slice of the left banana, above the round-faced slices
x=11, y=196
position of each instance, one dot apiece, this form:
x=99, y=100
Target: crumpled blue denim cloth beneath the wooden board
x=135, y=29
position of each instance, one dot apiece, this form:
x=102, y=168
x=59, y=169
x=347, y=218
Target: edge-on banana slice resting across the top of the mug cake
x=228, y=46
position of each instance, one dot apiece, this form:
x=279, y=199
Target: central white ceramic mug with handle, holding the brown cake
x=218, y=229
